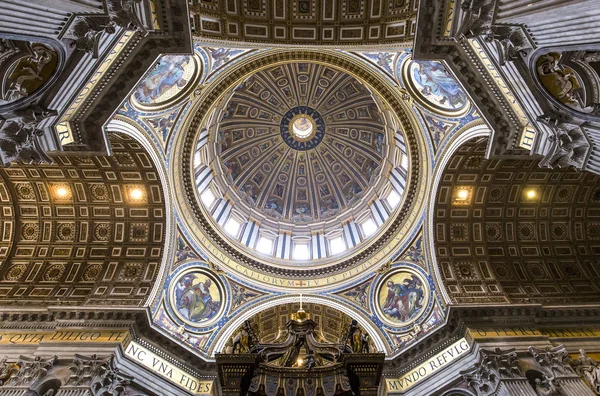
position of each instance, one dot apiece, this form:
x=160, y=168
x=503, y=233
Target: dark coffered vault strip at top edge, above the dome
x=305, y=22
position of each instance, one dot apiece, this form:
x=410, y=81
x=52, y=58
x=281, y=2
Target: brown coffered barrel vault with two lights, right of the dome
x=520, y=233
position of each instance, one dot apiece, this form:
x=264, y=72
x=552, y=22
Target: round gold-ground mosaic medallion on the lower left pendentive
x=196, y=297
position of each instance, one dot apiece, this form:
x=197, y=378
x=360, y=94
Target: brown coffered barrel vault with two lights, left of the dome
x=86, y=230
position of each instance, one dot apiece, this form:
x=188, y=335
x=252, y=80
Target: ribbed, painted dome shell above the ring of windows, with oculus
x=299, y=149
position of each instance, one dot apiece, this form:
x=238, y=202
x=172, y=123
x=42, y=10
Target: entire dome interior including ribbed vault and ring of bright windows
x=303, y=165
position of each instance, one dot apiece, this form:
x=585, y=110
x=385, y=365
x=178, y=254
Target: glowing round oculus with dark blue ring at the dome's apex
x=302, y=128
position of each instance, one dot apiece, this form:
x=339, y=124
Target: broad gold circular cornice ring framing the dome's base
x=200, y=114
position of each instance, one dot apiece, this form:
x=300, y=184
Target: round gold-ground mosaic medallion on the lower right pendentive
x=402, y=297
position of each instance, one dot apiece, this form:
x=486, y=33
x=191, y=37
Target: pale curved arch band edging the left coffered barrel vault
x=131, y=128
